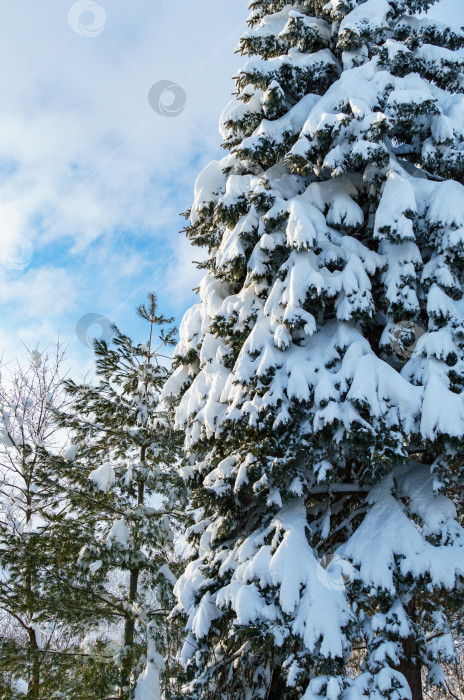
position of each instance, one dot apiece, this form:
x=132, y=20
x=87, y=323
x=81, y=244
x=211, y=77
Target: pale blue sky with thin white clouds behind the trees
x=92, y=178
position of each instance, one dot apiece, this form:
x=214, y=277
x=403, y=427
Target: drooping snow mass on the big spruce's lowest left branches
x=289, y=565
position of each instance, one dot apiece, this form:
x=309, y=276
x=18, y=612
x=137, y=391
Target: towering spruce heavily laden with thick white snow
x=317, y=430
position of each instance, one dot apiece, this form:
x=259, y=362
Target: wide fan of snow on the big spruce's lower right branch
x=388, y=534
